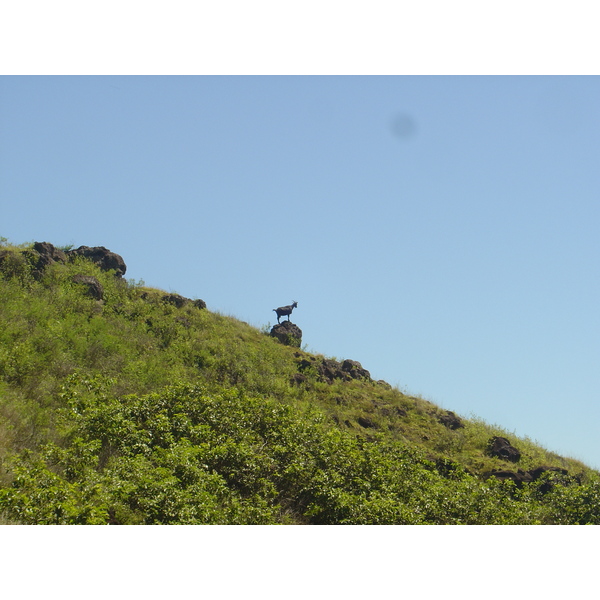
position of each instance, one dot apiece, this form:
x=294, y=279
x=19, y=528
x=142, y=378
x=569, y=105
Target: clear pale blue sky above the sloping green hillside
x=441, y=230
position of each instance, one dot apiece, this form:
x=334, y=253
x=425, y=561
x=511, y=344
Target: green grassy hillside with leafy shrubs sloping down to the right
x=125, y=404
